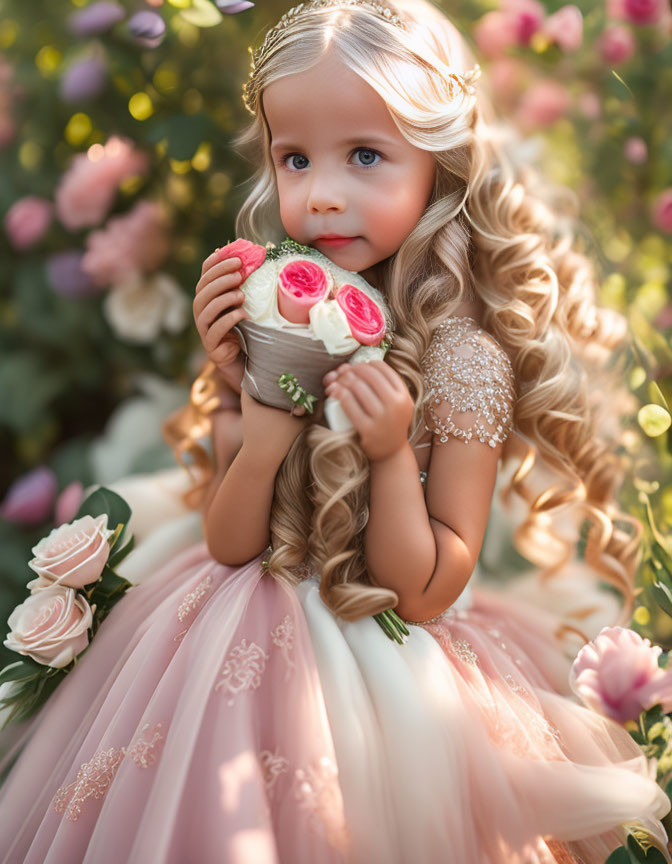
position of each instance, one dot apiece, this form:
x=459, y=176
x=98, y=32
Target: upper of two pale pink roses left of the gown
x=73, y=554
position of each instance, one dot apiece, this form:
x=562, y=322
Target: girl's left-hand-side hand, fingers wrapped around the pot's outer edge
x=217, y=308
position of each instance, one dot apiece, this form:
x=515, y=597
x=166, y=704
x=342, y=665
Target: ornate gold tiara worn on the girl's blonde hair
x=464, y=82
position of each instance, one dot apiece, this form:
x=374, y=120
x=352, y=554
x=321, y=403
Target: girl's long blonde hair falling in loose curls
x=489, y=233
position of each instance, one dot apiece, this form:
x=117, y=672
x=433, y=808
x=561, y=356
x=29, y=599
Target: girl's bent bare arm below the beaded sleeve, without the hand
x=426, y=551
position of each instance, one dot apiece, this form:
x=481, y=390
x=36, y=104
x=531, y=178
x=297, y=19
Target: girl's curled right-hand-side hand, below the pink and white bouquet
x=377, y=402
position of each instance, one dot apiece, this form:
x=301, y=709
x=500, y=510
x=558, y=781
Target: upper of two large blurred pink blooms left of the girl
x=88, y=189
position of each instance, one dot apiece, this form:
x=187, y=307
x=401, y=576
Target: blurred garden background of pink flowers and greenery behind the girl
x=117, y=179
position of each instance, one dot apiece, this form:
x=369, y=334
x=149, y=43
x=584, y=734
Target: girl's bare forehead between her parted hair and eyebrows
x=328, y=101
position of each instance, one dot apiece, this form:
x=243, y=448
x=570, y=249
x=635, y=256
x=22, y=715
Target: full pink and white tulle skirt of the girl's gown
x=222, y=717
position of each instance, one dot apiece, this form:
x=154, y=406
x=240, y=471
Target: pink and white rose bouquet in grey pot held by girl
x=307, y=316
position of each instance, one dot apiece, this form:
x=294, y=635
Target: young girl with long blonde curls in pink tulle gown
x=241, y=705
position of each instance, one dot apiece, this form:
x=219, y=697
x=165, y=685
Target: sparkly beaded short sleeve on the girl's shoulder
x=469, y=383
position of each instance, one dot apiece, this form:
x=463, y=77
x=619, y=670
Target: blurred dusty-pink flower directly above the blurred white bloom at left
x=135, y=242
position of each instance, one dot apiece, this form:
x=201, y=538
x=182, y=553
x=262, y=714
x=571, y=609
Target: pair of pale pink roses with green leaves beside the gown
x=75, y=589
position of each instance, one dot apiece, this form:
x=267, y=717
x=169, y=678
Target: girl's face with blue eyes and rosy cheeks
x=342, y=166
